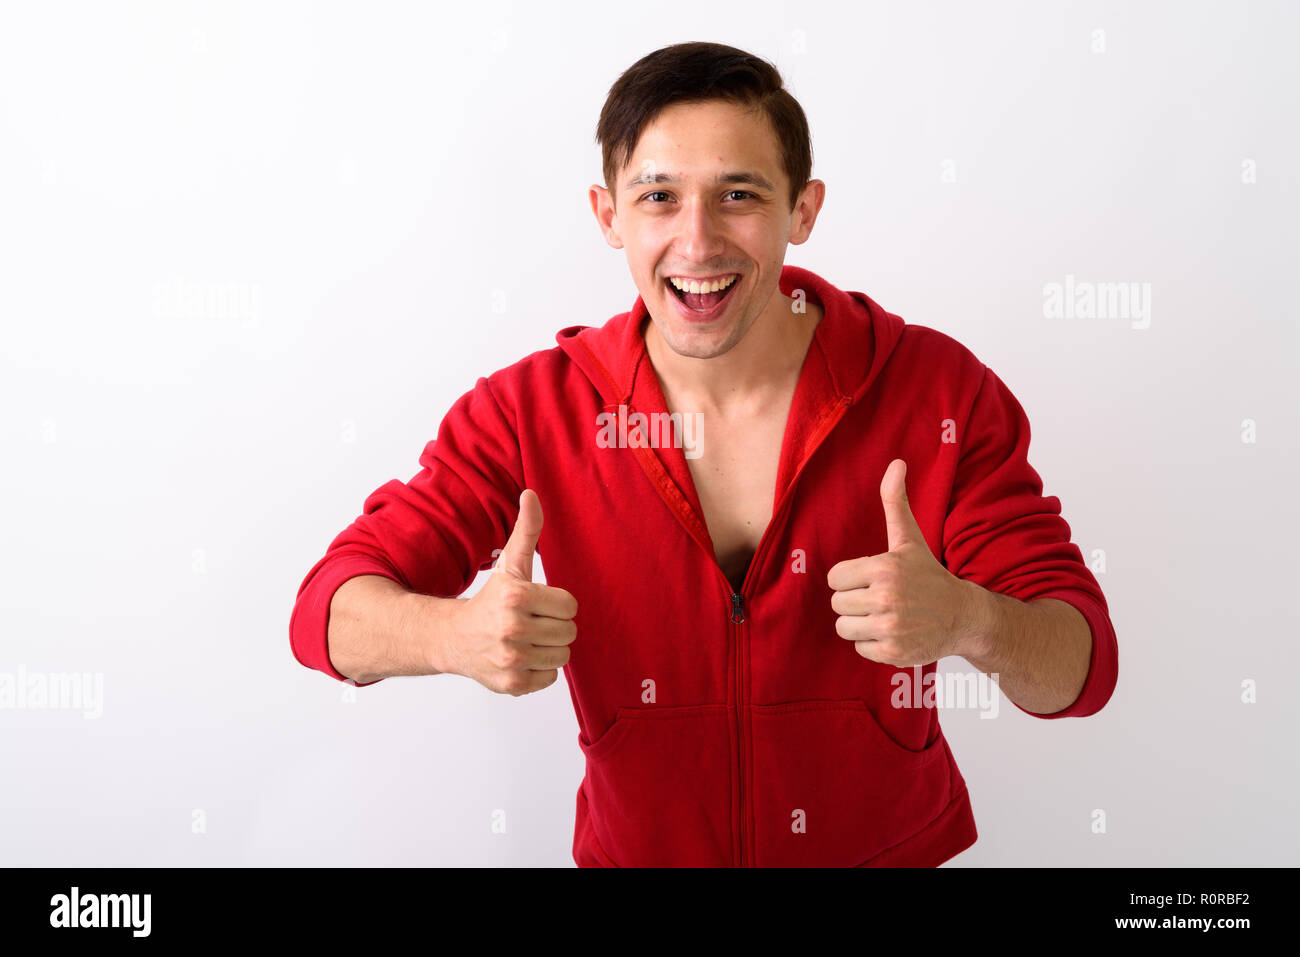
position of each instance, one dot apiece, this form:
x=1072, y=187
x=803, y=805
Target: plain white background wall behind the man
x=363, y=176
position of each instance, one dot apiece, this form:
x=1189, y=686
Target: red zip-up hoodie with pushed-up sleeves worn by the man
x=720, y=728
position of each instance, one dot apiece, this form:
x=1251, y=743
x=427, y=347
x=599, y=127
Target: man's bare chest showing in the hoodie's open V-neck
x=735, y=478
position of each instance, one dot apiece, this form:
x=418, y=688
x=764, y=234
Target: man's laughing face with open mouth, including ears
x=705, y=198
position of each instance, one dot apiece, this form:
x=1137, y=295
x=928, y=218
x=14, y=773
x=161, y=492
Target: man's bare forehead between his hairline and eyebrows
x=697, y=137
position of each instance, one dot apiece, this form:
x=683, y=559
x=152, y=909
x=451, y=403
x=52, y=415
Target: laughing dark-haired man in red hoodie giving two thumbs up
x=765, y=499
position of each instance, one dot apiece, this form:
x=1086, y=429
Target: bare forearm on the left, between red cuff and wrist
x=380, y=630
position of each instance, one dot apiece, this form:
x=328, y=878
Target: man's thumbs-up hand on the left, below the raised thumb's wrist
x=514, y=635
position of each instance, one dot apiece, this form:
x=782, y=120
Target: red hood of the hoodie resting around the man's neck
x=856, y=336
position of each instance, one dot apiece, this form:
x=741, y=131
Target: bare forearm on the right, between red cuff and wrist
x=1041, y=651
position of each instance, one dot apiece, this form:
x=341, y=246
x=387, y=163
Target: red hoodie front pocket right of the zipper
x=833, y=789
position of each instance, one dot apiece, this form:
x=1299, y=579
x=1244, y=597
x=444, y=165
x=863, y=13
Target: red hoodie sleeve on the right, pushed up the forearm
x=1004, y=535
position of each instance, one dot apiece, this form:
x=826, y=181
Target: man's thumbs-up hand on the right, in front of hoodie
x=902, y=608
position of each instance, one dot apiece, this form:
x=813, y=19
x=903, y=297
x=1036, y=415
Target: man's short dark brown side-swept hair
x=696, y=72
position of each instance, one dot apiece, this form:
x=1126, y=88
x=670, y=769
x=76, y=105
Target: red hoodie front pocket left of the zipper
x=658, y=786
